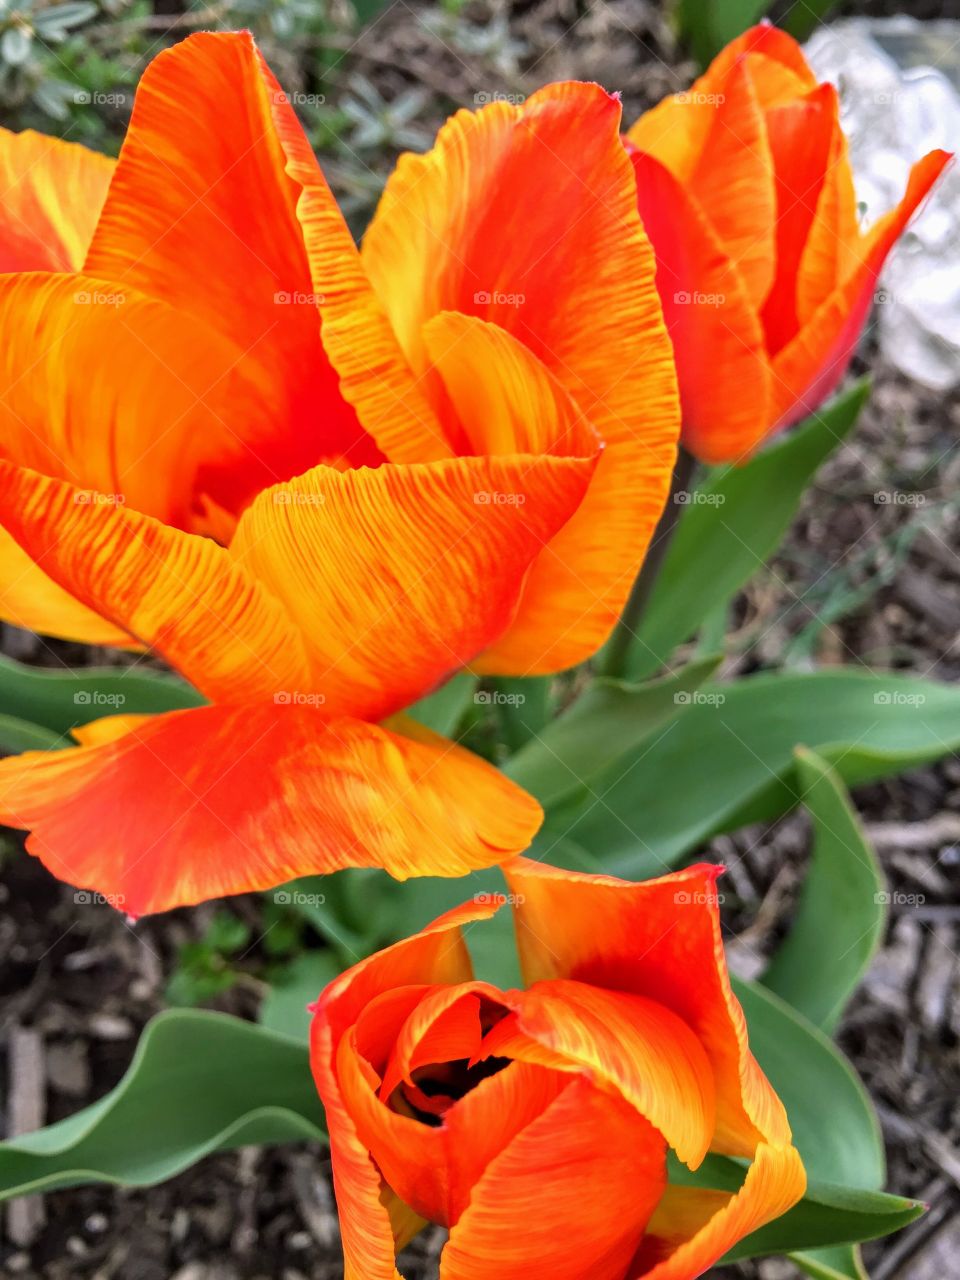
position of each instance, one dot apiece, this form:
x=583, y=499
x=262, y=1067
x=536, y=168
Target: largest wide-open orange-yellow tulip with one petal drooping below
x=317, y=483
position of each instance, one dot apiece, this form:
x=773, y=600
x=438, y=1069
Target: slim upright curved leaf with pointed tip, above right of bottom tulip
x=839, y=921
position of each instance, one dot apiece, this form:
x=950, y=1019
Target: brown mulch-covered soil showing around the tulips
x=856, y=582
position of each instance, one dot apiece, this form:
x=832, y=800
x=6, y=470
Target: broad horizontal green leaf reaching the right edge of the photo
x=729, y=762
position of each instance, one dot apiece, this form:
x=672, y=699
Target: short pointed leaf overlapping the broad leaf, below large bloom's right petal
x=604, y=724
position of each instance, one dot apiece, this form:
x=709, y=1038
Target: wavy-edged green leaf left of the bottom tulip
x=199, y=1082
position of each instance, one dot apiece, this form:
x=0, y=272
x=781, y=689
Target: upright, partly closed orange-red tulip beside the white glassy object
x=766, y=277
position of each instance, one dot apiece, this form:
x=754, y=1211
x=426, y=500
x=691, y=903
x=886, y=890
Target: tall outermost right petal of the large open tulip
x=578, y=289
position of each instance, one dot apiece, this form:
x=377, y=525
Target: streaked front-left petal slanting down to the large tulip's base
x=177, y=593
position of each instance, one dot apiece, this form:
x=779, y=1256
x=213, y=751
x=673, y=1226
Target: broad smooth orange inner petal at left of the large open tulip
x=113, y=391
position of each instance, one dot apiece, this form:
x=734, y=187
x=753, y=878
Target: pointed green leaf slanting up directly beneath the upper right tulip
x=737, y=524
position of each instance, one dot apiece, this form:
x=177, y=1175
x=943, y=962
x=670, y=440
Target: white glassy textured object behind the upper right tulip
x=898, y=81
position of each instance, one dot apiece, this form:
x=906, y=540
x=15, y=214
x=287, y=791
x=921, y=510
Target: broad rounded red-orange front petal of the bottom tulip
x=570, y=1196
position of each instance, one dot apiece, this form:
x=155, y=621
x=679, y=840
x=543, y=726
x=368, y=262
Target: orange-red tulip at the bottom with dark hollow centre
x=536, y=1124
